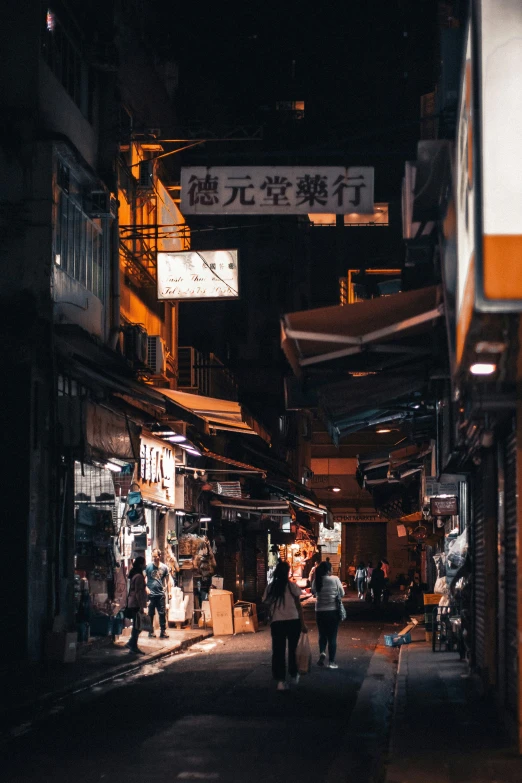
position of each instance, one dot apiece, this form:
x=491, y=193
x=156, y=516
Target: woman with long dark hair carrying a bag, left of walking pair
x=282, y=597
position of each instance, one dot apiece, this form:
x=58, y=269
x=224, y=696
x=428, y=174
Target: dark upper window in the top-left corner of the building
x=64, y=57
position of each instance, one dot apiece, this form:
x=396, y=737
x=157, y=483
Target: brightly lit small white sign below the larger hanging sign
x=198, y=274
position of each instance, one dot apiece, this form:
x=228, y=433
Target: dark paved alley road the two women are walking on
x=212, y=713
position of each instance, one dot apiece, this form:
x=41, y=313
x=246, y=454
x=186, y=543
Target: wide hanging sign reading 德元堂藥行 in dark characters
x=273, y=190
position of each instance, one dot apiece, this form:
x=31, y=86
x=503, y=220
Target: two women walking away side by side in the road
x=283, y=599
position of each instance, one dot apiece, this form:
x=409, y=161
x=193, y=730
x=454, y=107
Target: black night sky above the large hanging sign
x=357, y=65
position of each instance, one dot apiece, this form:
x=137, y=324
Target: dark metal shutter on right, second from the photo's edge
x=479, y=575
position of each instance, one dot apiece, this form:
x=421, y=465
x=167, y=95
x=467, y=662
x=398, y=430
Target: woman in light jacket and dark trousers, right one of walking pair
x=329, y=592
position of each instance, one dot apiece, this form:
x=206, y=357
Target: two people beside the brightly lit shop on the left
x=148, y=585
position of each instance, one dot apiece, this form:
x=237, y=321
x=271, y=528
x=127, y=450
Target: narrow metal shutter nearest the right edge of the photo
x=511, y=642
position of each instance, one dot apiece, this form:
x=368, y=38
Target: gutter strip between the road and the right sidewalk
x=364, y=744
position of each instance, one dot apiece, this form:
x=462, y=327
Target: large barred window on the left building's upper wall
x=80, y=241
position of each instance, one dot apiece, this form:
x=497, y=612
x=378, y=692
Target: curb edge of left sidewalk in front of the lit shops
x=47, y=701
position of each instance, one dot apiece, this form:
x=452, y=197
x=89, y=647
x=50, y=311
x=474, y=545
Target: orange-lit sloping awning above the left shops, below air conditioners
x=219, y=414
